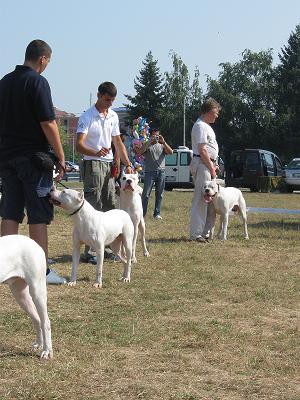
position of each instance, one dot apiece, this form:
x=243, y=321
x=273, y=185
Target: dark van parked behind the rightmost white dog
x=246, y=166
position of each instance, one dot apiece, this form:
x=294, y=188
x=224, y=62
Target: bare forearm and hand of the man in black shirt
x=51, y=132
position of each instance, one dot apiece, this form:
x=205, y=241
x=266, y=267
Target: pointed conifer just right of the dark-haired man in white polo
x=149, y=95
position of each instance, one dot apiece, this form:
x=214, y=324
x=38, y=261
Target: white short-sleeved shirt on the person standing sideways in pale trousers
x=202, y=133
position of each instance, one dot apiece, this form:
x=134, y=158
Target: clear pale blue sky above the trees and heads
x=94, y=41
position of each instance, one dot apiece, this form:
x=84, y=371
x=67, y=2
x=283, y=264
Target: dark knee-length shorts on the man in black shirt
x=20, y=181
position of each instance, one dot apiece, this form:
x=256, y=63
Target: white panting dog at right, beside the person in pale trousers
x=225, y=200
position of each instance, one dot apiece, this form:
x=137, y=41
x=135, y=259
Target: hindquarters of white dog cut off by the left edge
x=23, y=268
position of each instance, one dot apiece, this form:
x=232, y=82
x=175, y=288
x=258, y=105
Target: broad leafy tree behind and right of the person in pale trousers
x=245, y=90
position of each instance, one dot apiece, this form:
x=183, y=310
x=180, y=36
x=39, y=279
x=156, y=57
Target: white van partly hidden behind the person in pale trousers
x=177, y=169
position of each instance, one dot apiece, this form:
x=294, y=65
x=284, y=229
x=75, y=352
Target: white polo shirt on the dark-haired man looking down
x=99, y=131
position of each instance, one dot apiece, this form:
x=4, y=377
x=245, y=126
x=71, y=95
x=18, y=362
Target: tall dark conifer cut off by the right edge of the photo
x=288, y=96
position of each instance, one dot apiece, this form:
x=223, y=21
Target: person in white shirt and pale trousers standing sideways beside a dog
x=203, y=167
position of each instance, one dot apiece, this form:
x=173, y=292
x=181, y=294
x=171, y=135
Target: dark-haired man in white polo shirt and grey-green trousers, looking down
x=97, y=128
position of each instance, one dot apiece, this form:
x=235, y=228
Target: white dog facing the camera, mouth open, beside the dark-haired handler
x=130, y=201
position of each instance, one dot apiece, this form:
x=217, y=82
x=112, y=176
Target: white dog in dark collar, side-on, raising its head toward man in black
x=96, y=229
